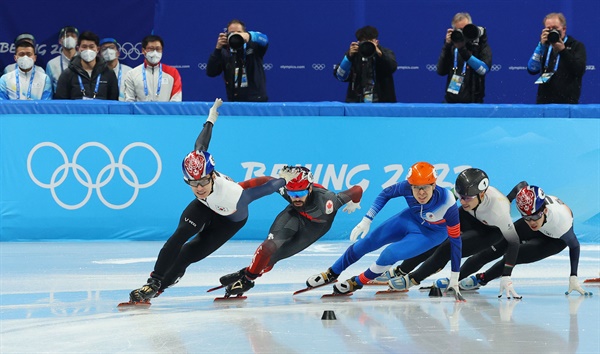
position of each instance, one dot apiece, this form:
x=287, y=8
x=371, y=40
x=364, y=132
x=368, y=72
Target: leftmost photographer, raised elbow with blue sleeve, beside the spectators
x=239, y=56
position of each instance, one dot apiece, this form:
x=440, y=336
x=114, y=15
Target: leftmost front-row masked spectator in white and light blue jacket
x=26, y=82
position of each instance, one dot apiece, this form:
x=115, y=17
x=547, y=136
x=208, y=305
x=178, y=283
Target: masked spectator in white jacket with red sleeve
x=152, y=80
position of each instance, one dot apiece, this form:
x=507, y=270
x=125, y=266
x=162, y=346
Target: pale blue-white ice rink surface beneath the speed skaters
x=62, y=297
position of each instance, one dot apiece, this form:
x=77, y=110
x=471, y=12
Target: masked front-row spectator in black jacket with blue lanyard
x=87, y=77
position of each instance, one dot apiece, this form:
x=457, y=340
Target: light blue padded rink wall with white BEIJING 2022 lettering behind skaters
x=112, y=171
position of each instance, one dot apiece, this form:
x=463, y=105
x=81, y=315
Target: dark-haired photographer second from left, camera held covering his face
x=368, y=68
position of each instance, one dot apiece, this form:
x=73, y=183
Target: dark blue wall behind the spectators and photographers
x=308, y=37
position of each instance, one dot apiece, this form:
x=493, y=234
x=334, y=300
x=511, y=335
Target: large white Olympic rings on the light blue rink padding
x=86, y=181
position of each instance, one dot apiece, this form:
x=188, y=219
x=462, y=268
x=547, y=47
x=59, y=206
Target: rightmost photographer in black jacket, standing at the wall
x=560, y=60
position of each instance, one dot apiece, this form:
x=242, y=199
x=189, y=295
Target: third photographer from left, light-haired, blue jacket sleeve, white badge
x=466, y=58
